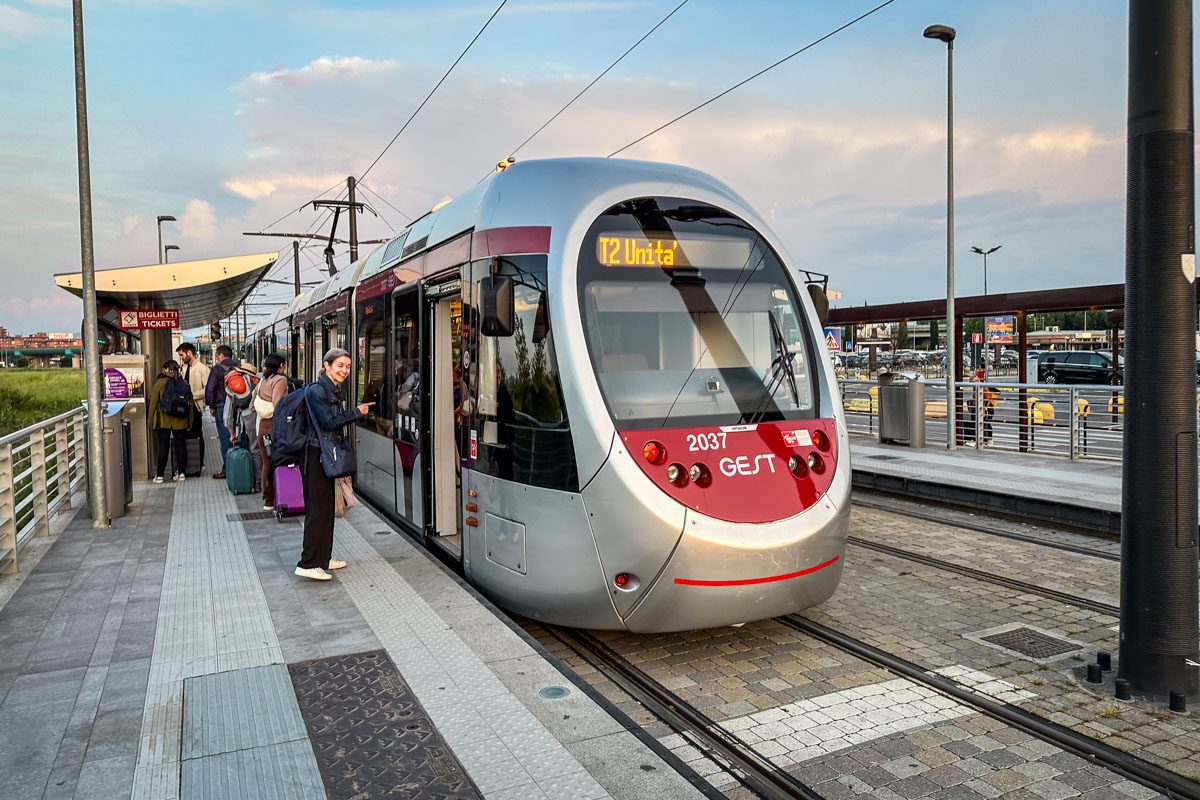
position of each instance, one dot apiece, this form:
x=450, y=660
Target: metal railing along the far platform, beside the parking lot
x=1085, y=422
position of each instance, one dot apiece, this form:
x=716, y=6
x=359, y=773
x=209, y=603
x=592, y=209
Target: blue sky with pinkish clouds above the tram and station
x=233, y=115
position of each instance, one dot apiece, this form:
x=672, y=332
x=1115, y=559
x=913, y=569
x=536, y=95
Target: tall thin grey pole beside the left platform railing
x=91, y=316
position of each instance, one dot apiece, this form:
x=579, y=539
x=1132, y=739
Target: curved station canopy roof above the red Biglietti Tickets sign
x=202, y=292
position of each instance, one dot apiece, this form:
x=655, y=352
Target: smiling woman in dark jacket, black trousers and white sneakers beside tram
x=329, y=419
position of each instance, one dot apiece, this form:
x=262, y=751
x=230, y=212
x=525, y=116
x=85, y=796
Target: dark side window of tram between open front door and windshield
x=519, y=416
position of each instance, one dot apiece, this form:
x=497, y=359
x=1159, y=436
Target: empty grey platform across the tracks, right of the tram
x=1084, y=494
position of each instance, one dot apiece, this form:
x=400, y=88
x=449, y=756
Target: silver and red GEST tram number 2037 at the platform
x=603, y=388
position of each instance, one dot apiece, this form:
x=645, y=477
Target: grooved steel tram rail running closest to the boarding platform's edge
x=749, y=769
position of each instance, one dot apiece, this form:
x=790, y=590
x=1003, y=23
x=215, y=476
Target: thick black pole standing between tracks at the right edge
x=1159, y=495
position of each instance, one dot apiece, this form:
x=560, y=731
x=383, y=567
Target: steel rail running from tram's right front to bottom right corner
x=1093, y=750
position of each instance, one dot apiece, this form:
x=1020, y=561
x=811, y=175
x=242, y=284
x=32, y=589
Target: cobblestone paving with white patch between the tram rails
x=850, y=730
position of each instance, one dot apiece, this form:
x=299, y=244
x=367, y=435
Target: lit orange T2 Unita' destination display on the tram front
x=669, y=252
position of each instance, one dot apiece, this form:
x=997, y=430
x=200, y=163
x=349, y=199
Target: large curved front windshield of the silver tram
x=692, y=320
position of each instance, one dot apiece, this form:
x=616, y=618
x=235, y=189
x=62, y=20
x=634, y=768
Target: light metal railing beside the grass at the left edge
x=41, y=467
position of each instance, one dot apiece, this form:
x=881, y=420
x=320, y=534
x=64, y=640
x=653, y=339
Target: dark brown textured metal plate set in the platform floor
x=371, y=736
